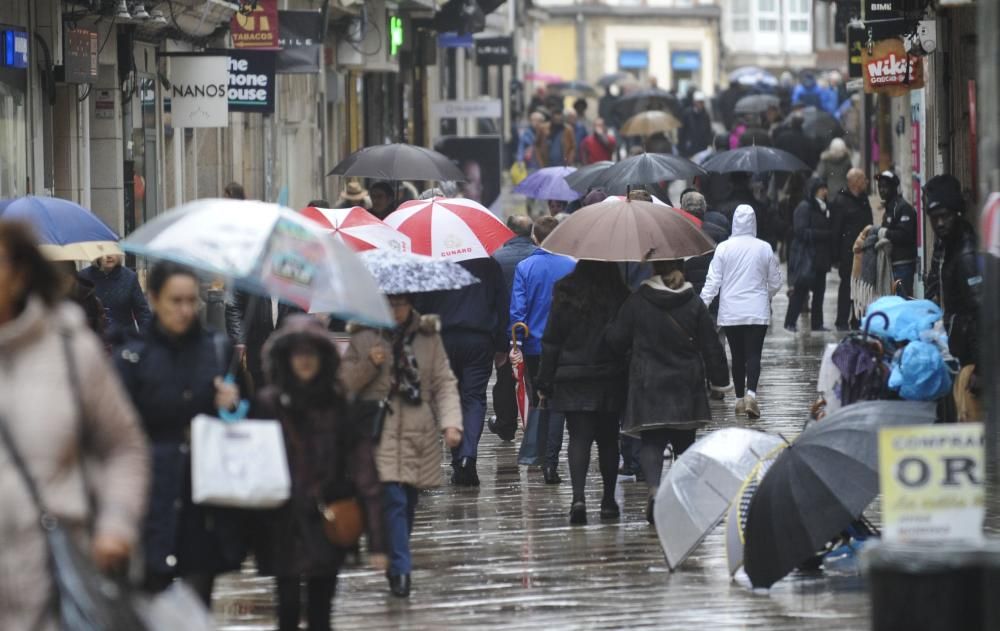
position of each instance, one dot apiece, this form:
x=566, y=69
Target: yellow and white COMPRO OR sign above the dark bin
x=931, y=477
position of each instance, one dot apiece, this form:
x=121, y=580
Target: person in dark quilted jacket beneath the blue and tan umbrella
x=117, y=287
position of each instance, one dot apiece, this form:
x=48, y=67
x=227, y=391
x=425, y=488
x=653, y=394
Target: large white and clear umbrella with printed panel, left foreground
x=268, y=250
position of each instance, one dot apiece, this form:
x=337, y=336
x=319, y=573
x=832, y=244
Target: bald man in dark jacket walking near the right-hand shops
x=851, y=213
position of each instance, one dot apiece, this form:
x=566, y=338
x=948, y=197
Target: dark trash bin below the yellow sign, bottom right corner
x=927, y=587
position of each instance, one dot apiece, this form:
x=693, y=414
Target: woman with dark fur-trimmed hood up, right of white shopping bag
x=330, y=460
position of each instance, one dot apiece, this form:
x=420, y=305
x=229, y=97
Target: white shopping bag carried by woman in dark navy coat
x=240, y=464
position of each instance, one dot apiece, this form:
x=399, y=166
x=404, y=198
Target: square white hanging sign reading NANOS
x=199, y=90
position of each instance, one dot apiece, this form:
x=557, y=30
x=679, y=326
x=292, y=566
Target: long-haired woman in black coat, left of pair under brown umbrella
x=581, y=377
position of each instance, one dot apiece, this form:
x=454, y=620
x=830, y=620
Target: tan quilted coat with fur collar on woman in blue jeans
x=410, y=450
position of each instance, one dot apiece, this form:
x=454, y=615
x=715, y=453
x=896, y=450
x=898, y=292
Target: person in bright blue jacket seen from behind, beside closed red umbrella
x=530, y=303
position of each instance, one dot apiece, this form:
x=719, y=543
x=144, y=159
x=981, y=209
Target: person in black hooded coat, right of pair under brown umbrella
x=673, y=346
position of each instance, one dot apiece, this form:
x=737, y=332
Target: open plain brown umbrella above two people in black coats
x=628, y=231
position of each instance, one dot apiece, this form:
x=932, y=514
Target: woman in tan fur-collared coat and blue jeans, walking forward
x=407, y=368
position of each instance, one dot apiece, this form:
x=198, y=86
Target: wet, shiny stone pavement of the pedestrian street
x=505, y=557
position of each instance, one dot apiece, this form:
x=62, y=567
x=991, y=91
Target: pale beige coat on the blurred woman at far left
x=38, y=404
